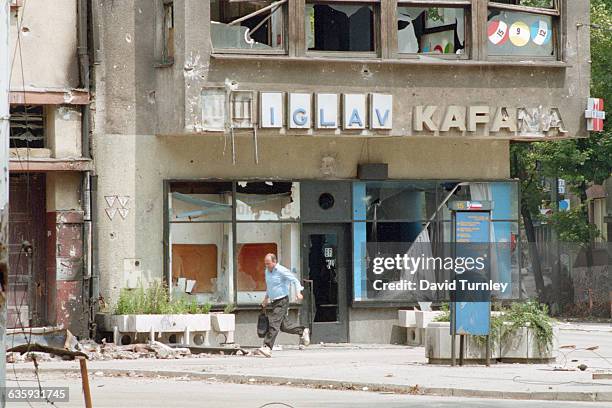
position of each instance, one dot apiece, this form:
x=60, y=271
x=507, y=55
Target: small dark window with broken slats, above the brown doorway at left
x=27, y=126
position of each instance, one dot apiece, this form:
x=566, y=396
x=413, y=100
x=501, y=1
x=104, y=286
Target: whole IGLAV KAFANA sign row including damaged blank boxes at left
x=374, y=114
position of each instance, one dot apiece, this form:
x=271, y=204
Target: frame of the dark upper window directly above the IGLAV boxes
x=379, y=28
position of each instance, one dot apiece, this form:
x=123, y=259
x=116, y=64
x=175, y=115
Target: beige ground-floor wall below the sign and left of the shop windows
x=134, y=168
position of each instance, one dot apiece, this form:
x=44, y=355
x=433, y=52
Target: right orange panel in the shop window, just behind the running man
x=251, y=276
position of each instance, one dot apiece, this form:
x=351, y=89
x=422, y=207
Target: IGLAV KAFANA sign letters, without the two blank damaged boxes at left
x=375, y=112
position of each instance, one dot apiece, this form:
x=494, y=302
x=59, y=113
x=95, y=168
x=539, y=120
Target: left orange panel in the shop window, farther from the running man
x=196, y=262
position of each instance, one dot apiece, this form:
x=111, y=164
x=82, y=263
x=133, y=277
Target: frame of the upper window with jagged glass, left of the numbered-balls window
x=466, y=5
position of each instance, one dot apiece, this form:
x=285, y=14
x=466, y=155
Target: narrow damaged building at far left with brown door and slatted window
x=50, y=165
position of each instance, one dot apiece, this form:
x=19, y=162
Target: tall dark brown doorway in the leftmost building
x=26, y=293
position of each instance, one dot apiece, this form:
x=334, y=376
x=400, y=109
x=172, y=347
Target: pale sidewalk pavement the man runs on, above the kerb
x=389, y=368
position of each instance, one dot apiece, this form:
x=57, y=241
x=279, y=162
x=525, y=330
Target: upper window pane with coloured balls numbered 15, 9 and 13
x=523, y=28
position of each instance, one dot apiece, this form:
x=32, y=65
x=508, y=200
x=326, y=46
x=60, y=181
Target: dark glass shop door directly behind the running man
x=327, y=266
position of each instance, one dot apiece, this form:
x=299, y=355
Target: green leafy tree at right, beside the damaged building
x=580, y=162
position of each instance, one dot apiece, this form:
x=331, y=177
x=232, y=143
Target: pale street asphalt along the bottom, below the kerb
x=112, y=392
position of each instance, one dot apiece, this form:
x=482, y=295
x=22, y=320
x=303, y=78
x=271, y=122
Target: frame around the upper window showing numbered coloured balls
x=557, y=35
